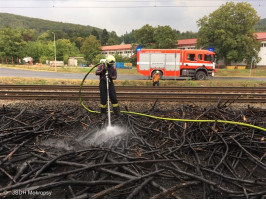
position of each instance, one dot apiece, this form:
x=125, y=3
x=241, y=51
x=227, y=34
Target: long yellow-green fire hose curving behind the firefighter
x=163, y=118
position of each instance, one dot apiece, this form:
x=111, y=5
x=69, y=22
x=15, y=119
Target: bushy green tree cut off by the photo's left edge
x=11, y=43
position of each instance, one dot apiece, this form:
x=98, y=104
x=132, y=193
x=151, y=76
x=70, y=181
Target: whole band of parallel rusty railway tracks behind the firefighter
x=132, y=93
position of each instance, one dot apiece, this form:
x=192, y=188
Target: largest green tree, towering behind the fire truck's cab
x=230, y=31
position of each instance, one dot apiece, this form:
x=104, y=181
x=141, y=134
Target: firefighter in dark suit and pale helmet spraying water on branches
x=109, y=67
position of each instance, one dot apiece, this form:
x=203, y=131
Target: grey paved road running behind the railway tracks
x=8, y=72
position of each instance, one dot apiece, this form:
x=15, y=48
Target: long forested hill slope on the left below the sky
x=40, y=25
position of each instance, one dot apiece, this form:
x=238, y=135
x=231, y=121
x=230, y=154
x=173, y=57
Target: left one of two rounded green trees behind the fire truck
x=144, y=36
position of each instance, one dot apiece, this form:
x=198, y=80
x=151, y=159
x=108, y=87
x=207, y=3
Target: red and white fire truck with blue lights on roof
x=197, y=64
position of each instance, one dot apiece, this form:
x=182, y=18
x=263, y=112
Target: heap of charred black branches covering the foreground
x=63, y=152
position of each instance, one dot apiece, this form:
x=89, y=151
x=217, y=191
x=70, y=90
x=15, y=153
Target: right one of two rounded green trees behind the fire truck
x=165, y=37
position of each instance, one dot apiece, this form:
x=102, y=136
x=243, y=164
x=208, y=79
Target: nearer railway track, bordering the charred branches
x=135, y=96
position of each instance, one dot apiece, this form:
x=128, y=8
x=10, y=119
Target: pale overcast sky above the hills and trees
x=122, y=16
